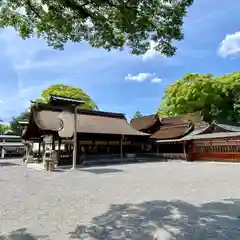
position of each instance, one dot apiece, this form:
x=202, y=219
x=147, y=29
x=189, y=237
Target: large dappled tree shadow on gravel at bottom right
x=165, y=220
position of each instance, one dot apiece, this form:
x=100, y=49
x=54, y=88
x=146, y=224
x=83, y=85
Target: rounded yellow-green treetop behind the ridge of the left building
x=67, y=91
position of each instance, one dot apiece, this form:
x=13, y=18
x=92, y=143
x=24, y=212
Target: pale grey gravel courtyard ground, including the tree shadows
x=165, y=200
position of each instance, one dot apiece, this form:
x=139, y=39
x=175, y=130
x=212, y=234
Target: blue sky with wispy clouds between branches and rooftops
x=117, y=81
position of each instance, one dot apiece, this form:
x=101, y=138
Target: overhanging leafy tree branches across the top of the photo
x=111, y=24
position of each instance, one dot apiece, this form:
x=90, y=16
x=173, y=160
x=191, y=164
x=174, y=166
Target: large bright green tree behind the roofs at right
x=216, y=97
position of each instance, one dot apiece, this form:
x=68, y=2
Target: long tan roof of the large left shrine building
x=47, y=119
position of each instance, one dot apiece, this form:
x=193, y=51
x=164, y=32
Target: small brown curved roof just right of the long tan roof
x=144, y=122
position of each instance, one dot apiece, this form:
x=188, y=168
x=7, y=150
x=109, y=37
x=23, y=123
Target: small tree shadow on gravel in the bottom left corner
x=21, y=234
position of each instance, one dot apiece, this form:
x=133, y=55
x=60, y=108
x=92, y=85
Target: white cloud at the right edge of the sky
x=230, y=45
